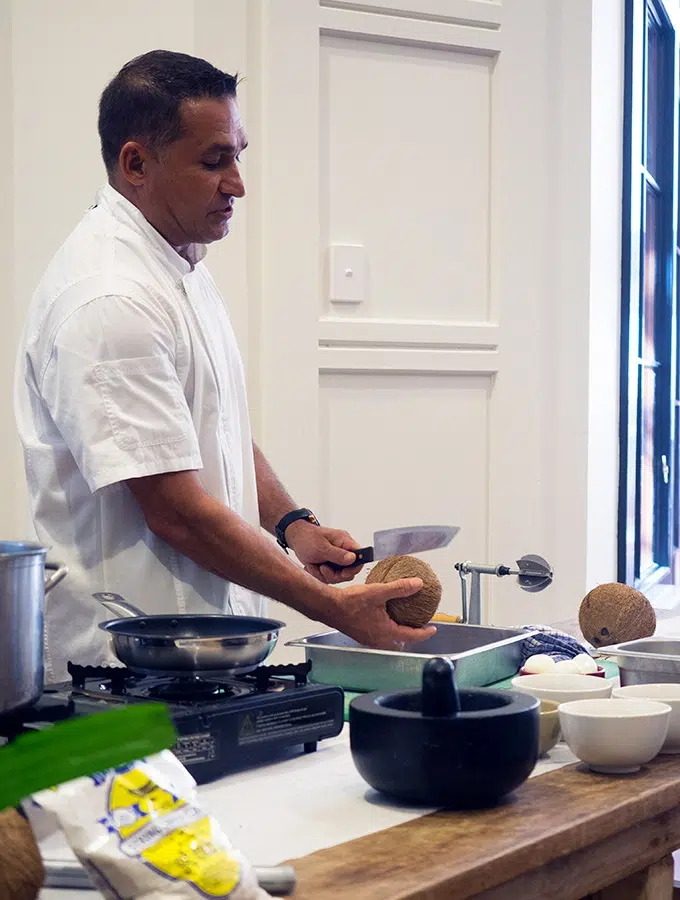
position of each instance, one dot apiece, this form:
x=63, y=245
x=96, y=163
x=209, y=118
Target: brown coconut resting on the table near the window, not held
x=614, y=613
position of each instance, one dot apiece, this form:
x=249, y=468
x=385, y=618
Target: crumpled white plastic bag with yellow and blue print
x=141, y=835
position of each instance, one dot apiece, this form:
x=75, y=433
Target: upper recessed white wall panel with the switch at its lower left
x=407, y=177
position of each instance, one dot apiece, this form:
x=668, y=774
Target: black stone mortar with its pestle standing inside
x=444, y=747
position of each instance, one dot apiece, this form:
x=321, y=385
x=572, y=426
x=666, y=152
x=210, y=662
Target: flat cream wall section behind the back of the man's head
x=58, y=165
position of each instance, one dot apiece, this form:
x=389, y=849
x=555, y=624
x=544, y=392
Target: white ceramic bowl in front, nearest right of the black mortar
x=615, y=736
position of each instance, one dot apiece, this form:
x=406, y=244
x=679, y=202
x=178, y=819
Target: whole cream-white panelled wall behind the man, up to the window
x=491, y=217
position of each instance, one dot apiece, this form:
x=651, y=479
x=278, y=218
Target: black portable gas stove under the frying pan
x=222, y=725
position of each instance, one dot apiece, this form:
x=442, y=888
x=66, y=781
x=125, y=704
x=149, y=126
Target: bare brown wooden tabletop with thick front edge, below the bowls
x=561, y=835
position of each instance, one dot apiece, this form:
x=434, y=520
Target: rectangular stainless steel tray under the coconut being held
x=482, y=655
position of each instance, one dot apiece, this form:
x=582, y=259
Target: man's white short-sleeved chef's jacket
x=128, y=367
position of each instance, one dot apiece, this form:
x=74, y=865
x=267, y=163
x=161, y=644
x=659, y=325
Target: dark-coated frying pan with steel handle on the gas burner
x=186, y=645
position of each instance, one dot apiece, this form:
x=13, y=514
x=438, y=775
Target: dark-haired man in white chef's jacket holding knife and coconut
x=130, y=393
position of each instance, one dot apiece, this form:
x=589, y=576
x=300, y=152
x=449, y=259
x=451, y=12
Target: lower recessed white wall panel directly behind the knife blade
x=408, y=450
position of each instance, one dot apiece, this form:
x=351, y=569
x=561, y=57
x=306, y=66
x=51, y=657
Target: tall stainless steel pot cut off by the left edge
x=23, y=585
